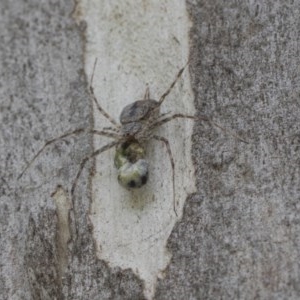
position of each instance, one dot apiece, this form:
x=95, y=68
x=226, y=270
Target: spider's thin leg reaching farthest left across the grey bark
x=77, y=131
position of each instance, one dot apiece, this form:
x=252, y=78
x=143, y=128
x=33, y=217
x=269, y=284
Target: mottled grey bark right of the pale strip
x=239, y=237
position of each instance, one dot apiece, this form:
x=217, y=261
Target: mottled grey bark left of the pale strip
x=44, y=94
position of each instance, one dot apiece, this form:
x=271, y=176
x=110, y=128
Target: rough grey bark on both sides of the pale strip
x=239, y=235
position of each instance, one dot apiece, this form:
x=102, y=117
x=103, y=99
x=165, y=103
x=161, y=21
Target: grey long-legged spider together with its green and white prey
x=137, y=123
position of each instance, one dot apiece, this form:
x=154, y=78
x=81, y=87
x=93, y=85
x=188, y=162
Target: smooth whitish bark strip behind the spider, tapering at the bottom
x=139, y=43
